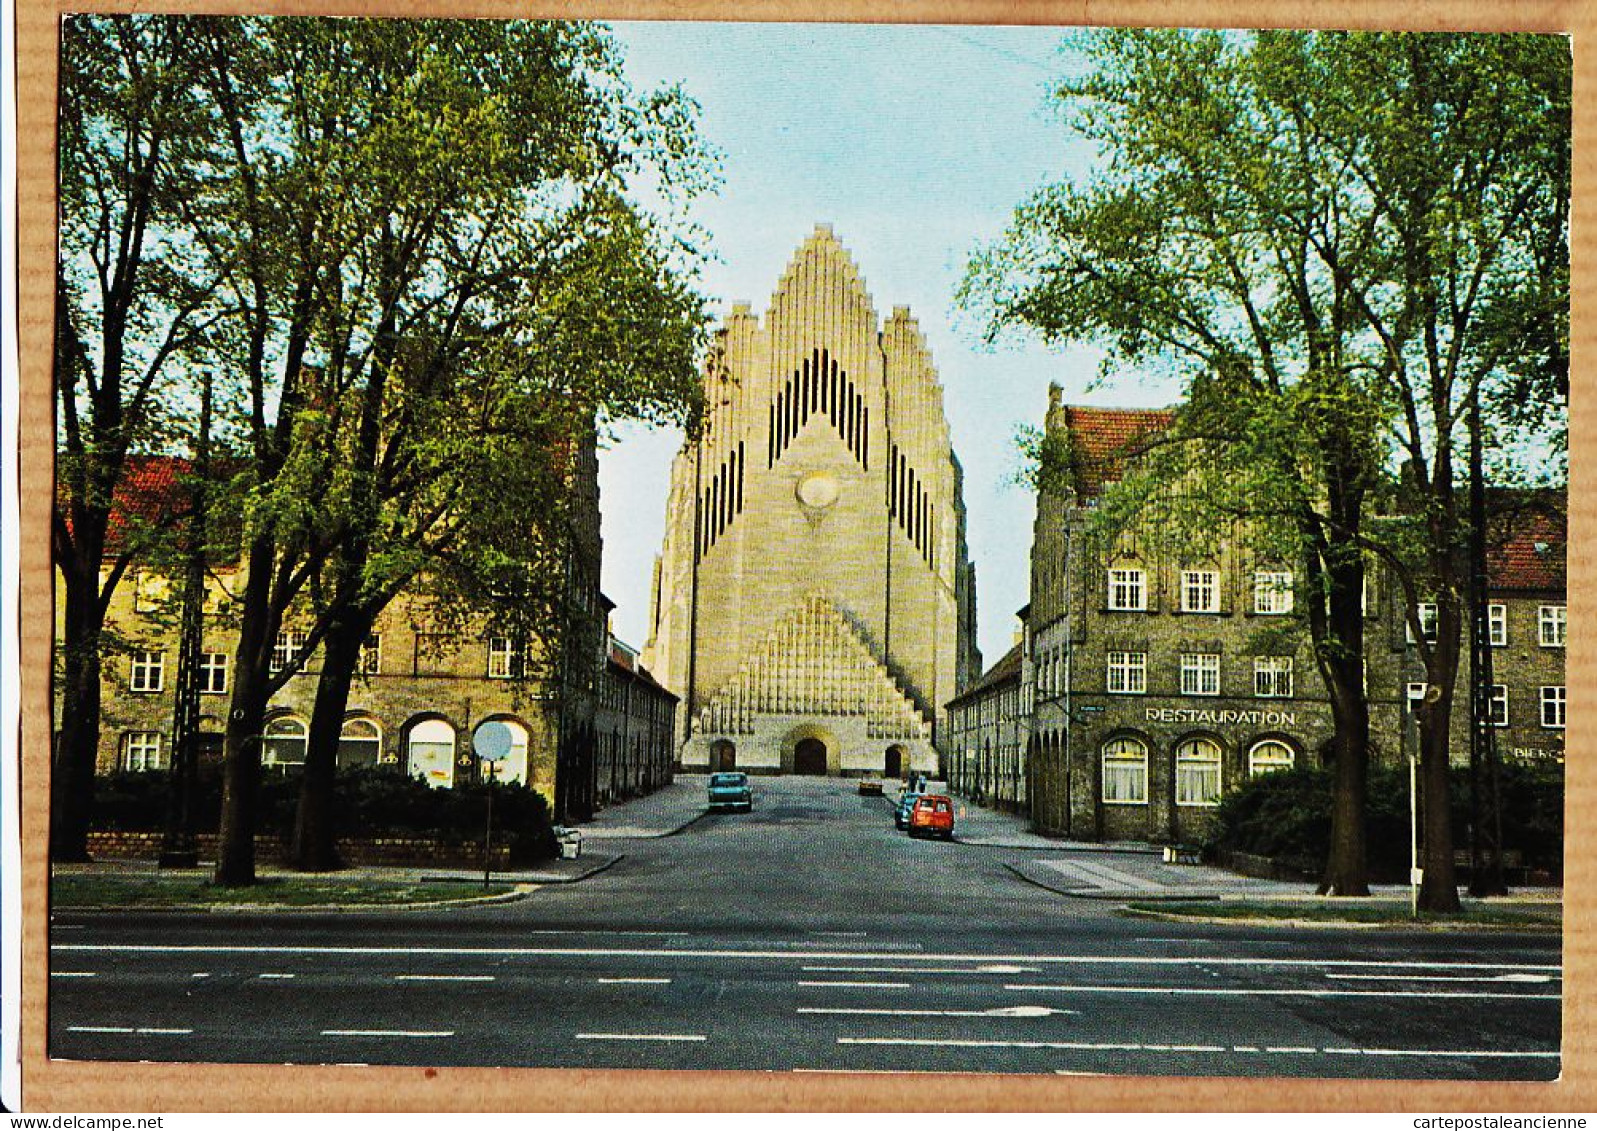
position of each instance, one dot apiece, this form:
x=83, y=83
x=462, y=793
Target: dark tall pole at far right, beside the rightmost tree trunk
x=1486, y=814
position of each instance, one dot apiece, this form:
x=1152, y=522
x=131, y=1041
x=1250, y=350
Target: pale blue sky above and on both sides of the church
x=916, y=145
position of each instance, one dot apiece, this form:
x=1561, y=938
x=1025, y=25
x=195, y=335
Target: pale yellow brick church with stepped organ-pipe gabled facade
x=814, y=603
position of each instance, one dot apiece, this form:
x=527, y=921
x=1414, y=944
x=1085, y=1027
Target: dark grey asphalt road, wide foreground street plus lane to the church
x=807, y=935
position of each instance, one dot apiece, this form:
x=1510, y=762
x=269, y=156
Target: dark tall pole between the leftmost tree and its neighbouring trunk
x=180, y=847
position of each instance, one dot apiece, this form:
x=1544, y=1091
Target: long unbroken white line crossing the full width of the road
x=839, y=956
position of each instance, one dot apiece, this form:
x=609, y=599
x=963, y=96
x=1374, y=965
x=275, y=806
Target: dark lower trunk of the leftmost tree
x=77, y=750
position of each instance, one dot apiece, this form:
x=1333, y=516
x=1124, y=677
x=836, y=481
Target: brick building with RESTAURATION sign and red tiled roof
x=1152, y=686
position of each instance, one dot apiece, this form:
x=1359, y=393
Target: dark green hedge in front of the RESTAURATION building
x=1288, y=817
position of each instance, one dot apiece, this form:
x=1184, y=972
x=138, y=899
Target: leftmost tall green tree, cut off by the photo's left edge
x=133, y=314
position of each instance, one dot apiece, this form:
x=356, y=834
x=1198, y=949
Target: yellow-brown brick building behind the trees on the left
x=424, y=685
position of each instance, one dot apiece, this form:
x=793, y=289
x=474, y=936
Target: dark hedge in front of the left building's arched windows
x=368, y=803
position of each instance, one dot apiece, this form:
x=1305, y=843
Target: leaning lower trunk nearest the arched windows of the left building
x=315, y=838
